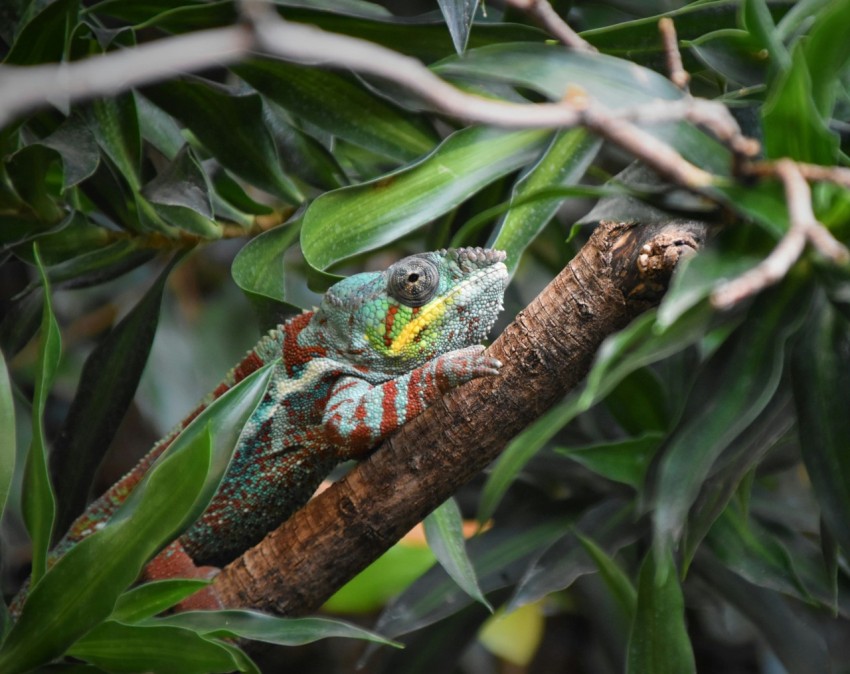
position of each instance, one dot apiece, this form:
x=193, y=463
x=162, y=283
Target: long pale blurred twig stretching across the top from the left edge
x=264, y=31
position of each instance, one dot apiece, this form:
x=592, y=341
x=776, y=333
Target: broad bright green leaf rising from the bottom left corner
x=80, y=590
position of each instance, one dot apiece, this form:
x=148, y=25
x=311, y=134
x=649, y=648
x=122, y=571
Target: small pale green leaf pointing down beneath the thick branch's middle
x=444, y=532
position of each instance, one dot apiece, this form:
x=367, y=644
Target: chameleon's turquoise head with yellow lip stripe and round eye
x=422, y=306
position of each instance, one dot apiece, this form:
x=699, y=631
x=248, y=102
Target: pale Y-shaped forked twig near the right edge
x=803, y=227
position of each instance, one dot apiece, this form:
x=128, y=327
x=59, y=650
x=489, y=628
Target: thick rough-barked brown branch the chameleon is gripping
x=620, y=272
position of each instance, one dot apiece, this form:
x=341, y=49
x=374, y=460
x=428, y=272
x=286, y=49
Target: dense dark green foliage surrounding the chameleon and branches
x=702, y=470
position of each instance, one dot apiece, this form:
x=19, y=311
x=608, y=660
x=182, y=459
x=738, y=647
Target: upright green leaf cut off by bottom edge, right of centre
x=659, y=641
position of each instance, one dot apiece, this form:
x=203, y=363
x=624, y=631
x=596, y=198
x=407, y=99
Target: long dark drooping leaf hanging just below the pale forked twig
x=717, y=413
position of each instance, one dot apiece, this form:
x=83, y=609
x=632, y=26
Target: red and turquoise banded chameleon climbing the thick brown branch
x=380, y=349
